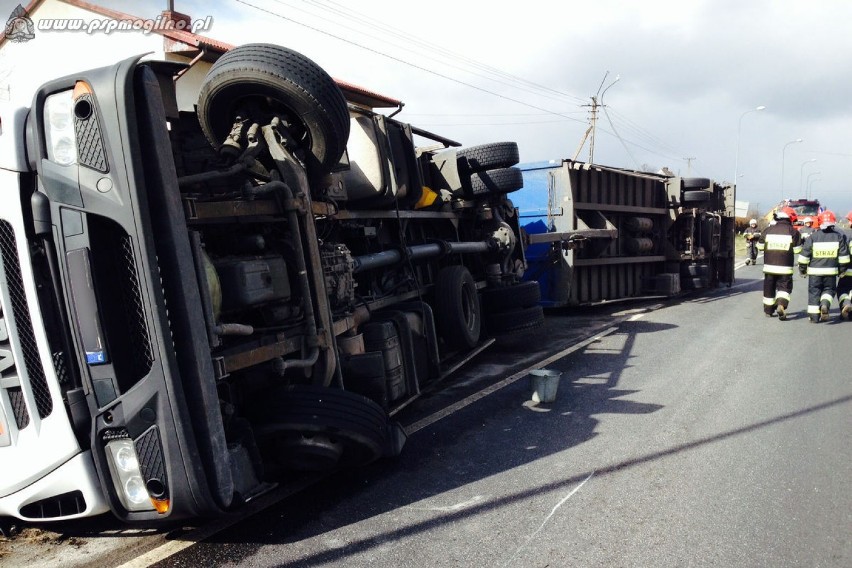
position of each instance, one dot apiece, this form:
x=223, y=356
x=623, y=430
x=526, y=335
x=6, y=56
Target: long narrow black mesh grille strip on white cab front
x=21, y=314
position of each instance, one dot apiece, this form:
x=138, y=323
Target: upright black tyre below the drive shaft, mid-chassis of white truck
x=457, y=311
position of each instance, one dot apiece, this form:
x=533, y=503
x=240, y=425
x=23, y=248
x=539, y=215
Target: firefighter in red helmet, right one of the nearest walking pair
x=824, y=257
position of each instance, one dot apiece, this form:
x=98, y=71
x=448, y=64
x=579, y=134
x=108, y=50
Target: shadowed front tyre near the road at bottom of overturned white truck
x=312, y=428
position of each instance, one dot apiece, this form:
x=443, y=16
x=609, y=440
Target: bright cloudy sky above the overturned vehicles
x=678, y=82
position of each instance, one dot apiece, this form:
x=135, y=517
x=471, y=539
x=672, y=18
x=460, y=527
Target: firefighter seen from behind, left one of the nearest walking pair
x=780, y=243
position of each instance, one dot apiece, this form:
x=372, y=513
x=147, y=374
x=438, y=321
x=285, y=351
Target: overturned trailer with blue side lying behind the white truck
x=611, y=234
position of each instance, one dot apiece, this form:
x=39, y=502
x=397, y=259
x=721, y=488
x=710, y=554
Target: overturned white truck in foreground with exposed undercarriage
x=195, y=304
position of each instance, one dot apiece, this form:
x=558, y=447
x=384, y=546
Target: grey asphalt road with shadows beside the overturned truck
x=692, y=433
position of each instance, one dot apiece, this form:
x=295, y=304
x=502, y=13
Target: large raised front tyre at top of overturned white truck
x=268, y=80
